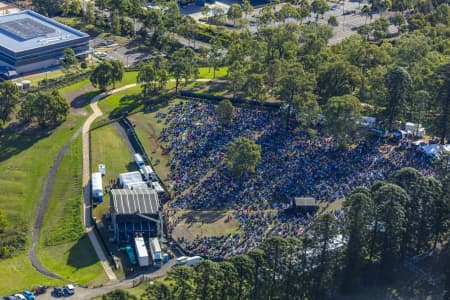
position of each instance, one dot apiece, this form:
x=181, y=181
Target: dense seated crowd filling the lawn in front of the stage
x=292, y=165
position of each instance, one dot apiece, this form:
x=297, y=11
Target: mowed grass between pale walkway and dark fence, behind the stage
x=108, y=147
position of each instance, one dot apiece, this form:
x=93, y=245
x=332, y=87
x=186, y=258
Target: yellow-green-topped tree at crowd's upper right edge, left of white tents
x=341, y=114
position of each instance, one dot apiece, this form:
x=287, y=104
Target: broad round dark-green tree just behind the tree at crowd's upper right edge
x=338, y=79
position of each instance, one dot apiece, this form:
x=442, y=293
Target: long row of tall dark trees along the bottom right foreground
x=384, y=225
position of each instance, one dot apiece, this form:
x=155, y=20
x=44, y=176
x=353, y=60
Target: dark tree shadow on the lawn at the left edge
x=13, y=141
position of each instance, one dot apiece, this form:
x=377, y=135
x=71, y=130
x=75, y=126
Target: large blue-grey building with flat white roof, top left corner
x=31, y=42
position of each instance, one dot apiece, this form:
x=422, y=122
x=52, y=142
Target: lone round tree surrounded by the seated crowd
x=242, y=156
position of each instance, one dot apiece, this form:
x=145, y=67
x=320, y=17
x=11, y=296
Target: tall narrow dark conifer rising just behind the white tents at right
x=399, y=85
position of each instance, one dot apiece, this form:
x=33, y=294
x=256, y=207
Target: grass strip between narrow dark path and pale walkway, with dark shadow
x=63, y=246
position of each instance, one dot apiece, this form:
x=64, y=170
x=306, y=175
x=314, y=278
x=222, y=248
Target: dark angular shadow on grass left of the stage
x=82, y=254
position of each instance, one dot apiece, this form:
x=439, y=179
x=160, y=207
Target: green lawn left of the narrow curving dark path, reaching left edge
x=25, y=161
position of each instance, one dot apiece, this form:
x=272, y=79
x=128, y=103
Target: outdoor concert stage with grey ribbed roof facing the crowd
x=135, y=212
